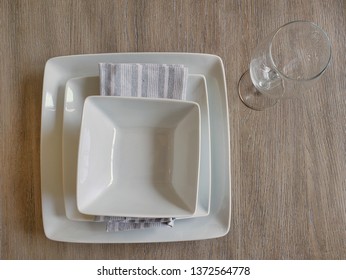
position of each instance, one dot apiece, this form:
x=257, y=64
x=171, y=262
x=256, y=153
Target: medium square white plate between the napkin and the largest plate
x=77, y=90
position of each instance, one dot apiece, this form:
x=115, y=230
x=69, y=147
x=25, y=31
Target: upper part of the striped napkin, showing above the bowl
x=143, y=80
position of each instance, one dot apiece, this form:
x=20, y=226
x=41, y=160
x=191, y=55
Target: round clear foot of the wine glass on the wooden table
x=251, y=97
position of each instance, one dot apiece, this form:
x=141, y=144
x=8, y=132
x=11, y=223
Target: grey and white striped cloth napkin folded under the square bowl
x=148, y=81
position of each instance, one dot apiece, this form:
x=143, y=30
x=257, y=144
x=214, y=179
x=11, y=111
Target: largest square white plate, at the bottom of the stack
x=57, y=226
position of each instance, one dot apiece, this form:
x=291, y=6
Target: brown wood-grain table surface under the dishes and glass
x=288, y=162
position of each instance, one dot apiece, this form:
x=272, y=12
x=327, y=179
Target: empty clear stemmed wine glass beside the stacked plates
x=284, y=63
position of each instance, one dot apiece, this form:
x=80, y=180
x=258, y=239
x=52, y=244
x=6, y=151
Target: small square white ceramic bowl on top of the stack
x=138, y=157
